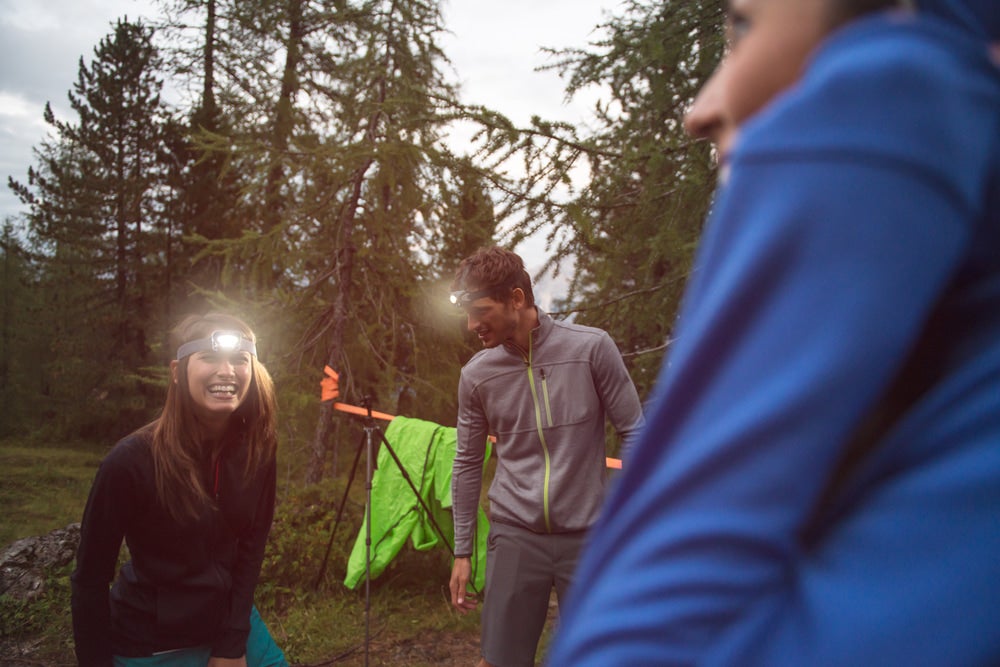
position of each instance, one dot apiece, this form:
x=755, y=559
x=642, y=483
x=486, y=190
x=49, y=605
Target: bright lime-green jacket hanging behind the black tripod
x=426, y=450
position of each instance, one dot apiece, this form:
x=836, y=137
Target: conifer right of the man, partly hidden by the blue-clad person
x=631, y=231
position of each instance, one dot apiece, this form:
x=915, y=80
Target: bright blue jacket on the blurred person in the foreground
x=818, y=480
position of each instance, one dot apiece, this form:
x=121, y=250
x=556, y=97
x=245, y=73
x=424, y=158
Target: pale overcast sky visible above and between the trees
x=494, y=48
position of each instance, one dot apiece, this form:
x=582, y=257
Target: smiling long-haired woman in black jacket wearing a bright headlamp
x=192, y=495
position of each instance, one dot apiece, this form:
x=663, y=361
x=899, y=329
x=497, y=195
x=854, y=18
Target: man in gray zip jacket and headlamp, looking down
x=544, y=388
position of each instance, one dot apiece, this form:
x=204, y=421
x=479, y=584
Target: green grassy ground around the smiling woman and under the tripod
x=410, y=620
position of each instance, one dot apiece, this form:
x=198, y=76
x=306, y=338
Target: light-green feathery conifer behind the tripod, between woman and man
x=390, y=168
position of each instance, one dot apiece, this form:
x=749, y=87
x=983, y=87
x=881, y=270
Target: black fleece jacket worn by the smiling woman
x=186, y=584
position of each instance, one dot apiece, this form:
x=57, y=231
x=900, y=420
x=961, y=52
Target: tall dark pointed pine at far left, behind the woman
x=96, y=224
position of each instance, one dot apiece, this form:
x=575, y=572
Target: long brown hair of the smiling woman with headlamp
x=178, y=452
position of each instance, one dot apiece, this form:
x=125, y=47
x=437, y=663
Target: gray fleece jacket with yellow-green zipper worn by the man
x=546, y=406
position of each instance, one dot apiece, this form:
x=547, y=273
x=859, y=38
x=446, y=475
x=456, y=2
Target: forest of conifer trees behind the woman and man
x=304, y=180
